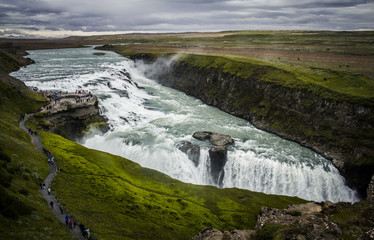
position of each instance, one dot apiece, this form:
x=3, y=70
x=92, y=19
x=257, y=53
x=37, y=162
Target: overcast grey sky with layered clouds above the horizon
x=61, y=18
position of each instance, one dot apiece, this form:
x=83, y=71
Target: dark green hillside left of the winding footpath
x=24, y=214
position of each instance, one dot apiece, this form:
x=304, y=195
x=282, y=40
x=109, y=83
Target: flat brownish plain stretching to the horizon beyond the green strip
x=341, y=51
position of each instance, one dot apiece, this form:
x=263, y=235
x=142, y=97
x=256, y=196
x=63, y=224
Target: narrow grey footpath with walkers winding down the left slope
x=35, y=139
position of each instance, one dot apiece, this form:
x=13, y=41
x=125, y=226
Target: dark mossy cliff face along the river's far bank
x=339, y=130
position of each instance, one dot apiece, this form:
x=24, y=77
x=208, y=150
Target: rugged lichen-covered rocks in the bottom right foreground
x=307, y=221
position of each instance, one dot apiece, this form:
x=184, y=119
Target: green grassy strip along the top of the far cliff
x=326, y=83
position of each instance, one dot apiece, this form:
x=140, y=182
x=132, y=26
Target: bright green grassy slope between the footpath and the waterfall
x=118, y=199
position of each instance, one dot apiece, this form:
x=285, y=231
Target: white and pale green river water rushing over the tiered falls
x=147, y=124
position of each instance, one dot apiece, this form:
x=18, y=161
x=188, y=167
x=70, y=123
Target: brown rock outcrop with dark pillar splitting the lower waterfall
x=217, y=153
